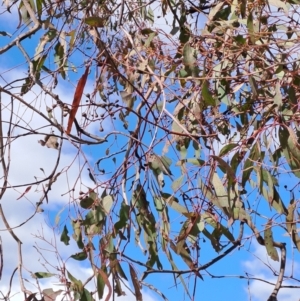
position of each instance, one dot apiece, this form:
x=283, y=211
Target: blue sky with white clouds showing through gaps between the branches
x=29, y=157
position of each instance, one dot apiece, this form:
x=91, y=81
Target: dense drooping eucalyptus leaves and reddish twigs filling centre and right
x=223, y=103
